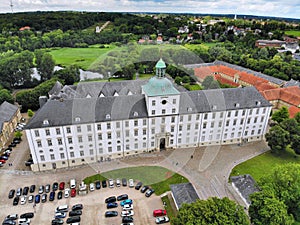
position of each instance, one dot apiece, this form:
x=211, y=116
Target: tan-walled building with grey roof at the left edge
x=9, y=117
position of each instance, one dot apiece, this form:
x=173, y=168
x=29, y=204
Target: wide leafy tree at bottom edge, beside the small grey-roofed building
x=212, y=211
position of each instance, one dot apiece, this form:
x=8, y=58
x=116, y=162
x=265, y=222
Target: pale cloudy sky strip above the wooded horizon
x=279, y=8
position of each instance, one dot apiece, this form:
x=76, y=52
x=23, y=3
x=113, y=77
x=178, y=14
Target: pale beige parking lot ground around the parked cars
x=94, y=206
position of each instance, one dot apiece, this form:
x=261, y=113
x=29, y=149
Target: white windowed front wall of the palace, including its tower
x=165, y=127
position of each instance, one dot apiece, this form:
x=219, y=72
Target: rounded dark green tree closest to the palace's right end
x=277, y=138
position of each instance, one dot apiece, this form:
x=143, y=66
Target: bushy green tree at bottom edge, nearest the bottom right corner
x=265, y=208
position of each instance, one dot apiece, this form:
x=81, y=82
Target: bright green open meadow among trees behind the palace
x=83, y=57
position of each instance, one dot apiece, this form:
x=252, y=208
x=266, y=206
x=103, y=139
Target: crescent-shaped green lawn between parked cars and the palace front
x=157, y=177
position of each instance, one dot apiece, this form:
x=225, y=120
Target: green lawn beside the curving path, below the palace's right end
x=263, y=164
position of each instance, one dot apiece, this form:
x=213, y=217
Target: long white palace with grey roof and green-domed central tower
x=97, y=121
